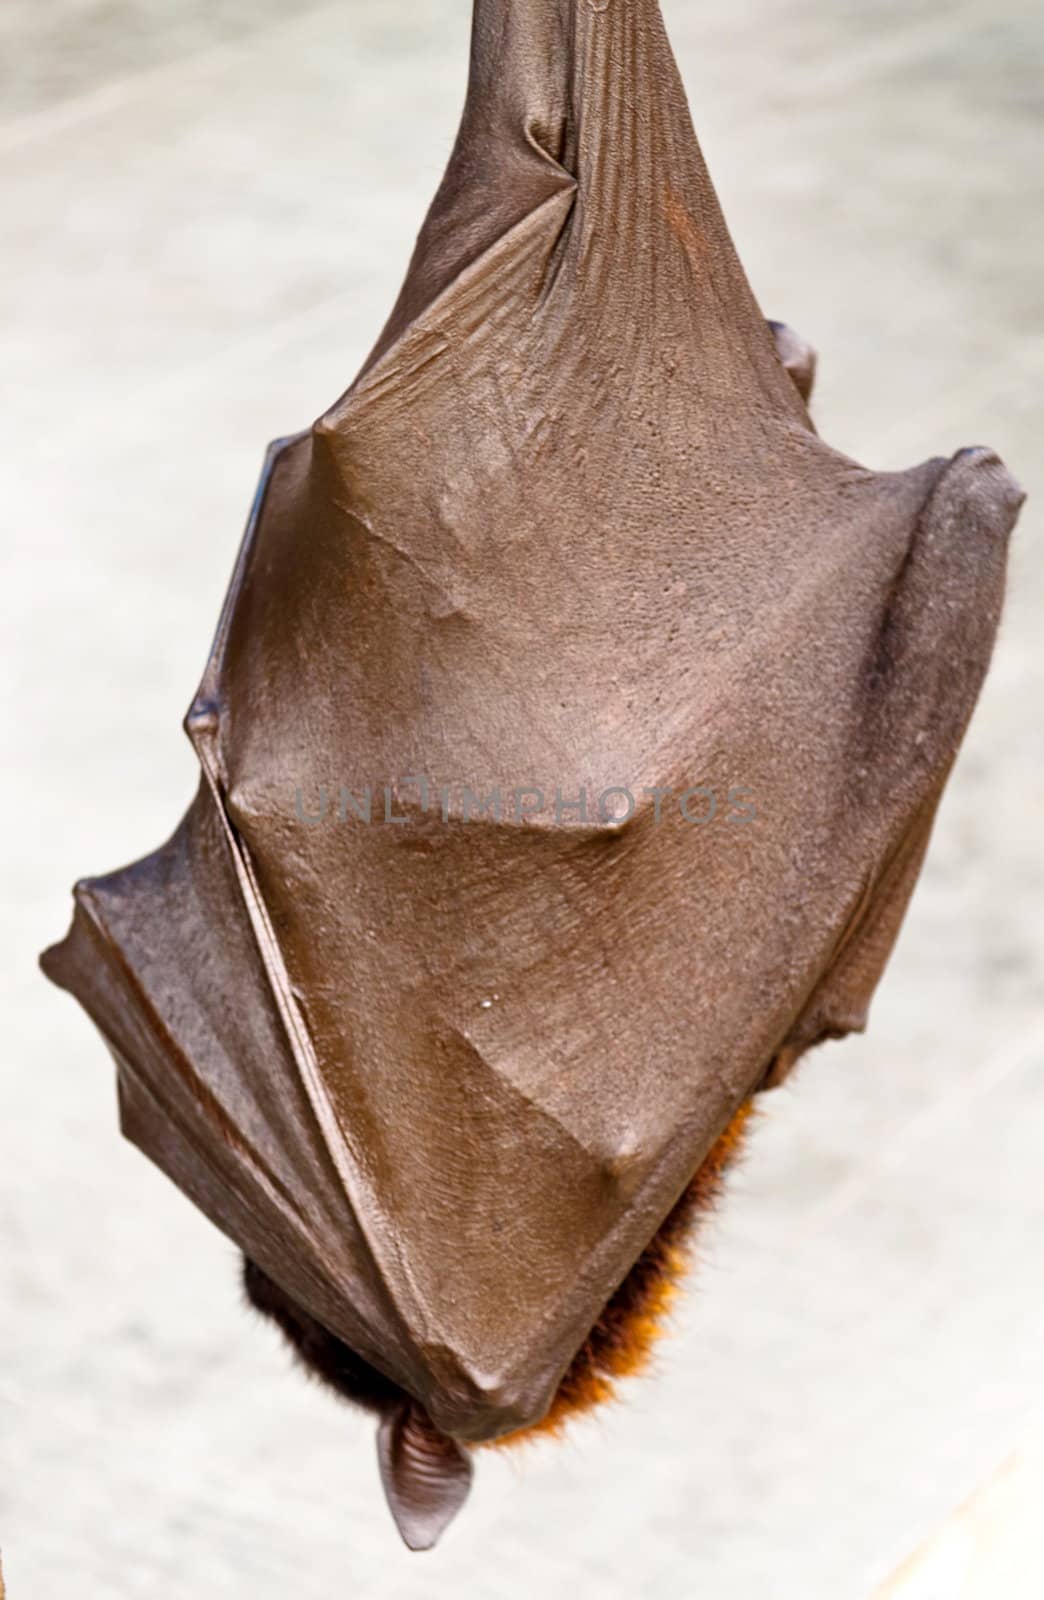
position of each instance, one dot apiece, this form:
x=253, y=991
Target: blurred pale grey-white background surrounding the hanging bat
x=206, y=210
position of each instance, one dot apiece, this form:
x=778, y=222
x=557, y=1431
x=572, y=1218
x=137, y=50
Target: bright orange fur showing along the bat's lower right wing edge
x=624, y=1338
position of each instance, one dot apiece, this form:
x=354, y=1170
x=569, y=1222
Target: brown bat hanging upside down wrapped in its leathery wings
x=569, y=753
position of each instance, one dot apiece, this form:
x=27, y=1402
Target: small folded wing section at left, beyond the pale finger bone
x=164, y=959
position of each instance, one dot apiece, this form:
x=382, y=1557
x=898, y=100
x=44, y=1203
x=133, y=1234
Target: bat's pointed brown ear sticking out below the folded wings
x=427, y=1476
